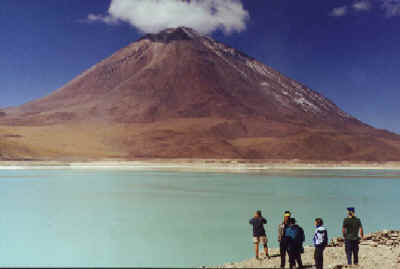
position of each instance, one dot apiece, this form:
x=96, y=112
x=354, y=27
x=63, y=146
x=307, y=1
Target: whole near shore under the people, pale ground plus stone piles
x=380, y=250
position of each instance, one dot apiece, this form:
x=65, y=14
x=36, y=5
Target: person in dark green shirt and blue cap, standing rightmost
x=351, y=227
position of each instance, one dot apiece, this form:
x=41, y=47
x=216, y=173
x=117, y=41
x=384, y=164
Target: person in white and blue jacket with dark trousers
x=320, y=241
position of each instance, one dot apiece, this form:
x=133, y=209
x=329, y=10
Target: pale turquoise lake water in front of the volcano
x=148, y=218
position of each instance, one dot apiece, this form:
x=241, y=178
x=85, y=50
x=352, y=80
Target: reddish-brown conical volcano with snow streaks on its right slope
x=178, y=94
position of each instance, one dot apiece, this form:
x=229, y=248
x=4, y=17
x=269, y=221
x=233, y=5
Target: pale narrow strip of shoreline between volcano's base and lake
x=205, y=165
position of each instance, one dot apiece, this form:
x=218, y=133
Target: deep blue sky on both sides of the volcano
x=347, y=50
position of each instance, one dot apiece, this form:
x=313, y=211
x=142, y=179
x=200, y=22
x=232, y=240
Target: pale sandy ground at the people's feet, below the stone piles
x=334, y=257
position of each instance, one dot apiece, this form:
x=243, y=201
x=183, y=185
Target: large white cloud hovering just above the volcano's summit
x=152, y=16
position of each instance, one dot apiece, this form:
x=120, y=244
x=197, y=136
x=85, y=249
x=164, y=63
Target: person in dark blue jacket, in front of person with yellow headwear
x=295, y=236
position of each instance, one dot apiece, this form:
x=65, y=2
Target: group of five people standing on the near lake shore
x=291, y=238
